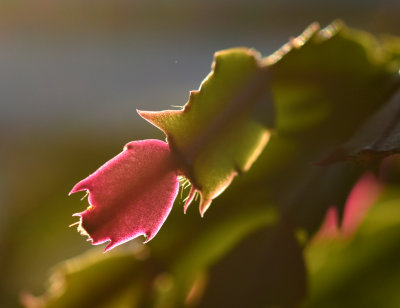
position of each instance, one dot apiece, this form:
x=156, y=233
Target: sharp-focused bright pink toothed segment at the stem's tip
x=130, y=195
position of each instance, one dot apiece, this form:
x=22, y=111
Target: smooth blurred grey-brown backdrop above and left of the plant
x=73, y=73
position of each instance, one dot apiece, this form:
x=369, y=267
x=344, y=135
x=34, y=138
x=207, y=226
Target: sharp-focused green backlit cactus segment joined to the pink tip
x=214, y=134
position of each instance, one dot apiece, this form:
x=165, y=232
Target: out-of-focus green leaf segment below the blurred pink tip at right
x=362, y=271
